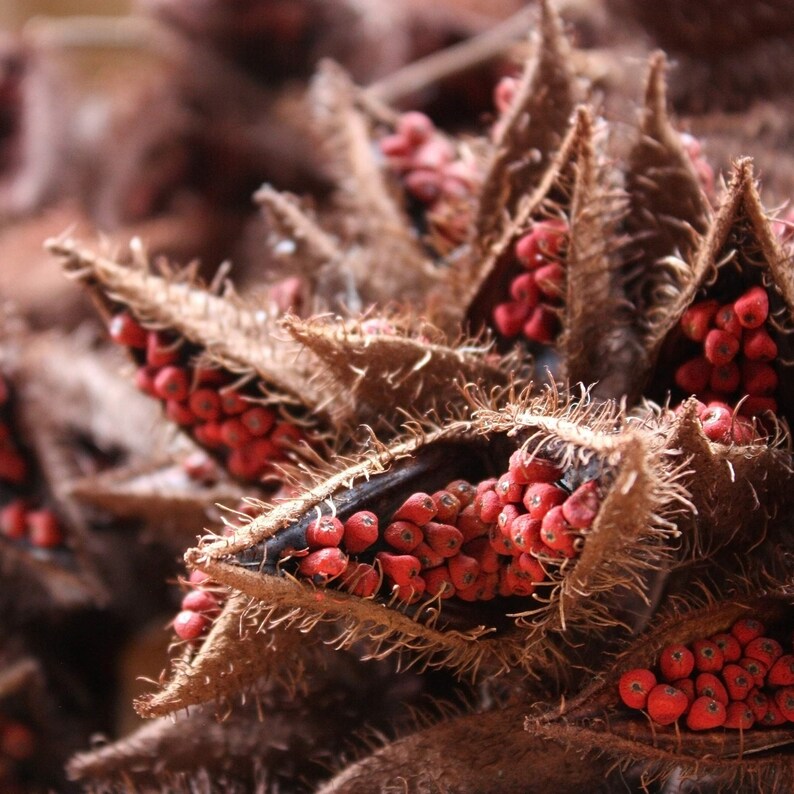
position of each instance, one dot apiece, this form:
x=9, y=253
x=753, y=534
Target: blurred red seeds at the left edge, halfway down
x=18, y=521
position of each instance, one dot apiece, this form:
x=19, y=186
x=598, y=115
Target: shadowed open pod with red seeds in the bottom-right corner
x=754, y=754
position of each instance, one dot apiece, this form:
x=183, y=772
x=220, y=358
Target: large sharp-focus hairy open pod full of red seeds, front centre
x=466, y=578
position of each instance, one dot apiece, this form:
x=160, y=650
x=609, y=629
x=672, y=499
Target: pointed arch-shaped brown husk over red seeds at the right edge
x=739, y=238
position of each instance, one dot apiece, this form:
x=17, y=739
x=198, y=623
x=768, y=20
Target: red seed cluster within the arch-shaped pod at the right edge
x=735, y=363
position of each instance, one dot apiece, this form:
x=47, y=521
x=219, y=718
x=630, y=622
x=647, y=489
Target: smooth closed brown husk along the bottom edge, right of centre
x=506, y=761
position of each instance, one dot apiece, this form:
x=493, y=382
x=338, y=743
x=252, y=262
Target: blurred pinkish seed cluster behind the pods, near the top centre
x=427, y=162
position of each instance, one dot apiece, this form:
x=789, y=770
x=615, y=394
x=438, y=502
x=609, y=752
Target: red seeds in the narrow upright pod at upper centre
x=536, y=295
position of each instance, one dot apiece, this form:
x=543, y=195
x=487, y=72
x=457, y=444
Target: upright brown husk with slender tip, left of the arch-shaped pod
x=667, y=209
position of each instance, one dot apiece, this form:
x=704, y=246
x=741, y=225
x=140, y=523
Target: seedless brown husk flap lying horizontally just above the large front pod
x=373, y=376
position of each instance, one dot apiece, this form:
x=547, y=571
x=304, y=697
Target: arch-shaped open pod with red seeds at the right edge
x=724, y=334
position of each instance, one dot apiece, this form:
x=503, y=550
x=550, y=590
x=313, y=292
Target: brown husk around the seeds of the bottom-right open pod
x=753, y=759
